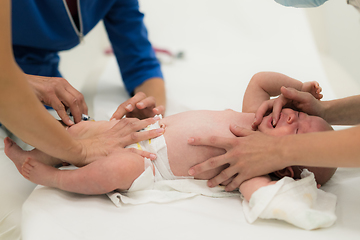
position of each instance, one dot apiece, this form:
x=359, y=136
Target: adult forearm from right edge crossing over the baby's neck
x=322, y=149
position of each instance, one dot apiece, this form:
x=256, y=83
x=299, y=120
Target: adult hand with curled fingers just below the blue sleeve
x=138, y=106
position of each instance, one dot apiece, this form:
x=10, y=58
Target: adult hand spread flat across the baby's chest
x=249, y=155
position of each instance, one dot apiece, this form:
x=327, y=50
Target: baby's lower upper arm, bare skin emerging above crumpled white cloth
x=250, y=186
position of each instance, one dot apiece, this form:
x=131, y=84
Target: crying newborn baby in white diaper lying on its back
x=174, y=155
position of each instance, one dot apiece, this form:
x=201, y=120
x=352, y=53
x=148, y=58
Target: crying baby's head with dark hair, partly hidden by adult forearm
x=294, y=122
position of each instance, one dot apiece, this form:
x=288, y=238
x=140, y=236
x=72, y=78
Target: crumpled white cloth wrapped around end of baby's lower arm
x=299, y=202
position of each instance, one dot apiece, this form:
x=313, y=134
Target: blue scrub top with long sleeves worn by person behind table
x=40, y=29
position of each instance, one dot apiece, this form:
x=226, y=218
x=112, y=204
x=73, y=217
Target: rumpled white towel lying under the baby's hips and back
x=144, y=190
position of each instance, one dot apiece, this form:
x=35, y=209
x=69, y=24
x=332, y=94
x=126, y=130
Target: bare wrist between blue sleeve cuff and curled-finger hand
x=154, y=87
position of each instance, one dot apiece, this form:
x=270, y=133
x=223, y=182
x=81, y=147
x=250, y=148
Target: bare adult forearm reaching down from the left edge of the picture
x=26, y=117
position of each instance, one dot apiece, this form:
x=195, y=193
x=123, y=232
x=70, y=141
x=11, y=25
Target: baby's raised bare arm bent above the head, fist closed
x=264, y=85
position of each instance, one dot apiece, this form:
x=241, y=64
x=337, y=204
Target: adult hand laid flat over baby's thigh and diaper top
x=124, y=133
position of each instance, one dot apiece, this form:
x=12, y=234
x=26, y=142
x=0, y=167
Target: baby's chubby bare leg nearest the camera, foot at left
x=116, y=171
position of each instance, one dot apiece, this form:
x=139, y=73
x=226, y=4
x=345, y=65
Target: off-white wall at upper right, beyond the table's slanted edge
x=336, y=29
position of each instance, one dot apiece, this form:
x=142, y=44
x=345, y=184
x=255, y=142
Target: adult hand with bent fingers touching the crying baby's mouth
x=304, y=101
